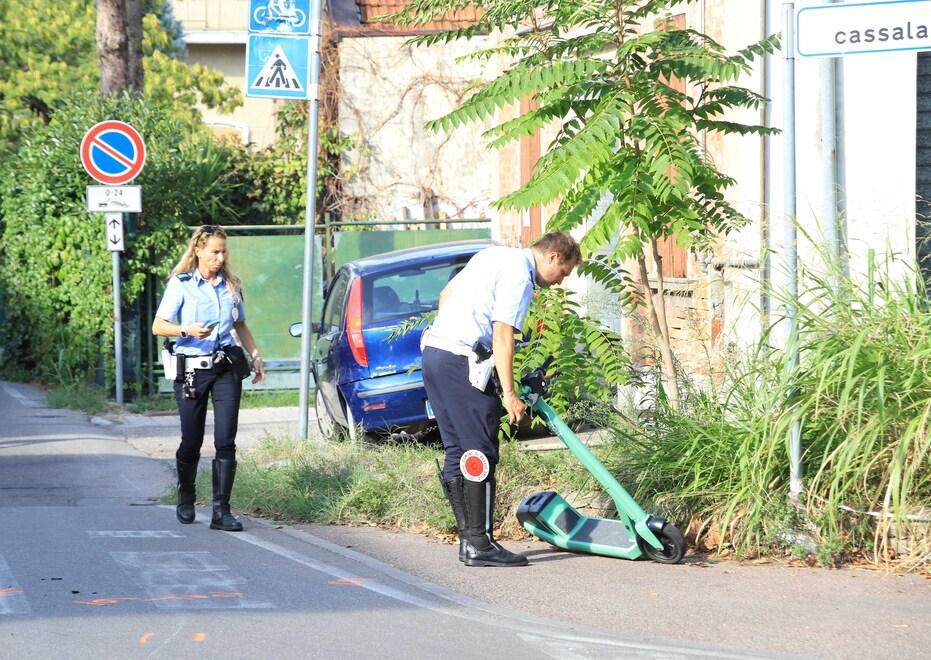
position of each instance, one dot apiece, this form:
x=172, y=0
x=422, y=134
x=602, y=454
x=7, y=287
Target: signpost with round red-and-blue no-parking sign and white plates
x=113, y=153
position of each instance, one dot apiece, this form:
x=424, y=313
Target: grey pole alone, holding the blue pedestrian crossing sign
x=310, y=211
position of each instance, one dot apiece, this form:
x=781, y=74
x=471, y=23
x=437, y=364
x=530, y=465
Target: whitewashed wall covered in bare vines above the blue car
x=388, y=92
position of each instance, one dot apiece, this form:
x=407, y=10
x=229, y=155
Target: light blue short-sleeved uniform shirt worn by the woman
x=189, y=298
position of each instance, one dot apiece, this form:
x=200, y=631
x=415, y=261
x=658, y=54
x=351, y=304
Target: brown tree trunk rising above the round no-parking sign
x=119, y=45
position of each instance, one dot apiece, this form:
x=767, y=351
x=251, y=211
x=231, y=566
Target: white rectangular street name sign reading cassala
x=866, y=27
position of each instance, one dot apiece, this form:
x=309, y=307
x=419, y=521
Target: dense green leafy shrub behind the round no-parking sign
x=54, y=265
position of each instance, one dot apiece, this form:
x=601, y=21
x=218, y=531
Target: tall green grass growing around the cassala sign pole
x=862, y=396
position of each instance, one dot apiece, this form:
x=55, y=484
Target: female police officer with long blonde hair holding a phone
x=201, y=306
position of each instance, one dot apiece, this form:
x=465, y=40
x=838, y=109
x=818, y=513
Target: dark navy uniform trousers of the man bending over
x=468, y=418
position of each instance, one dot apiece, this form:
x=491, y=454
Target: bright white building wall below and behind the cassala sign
x=880, y=109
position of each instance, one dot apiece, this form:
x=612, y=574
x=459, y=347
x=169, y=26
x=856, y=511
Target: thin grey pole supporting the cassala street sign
x=790, y=253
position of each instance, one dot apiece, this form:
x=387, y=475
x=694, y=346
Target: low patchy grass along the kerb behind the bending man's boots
x=391, y=483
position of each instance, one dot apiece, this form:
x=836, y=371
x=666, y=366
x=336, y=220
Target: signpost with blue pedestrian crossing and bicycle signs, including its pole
x=283, y=61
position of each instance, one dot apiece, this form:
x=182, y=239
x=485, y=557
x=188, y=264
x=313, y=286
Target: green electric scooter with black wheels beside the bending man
x=549, y=517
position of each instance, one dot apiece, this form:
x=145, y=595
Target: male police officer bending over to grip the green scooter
x=482, y=307
